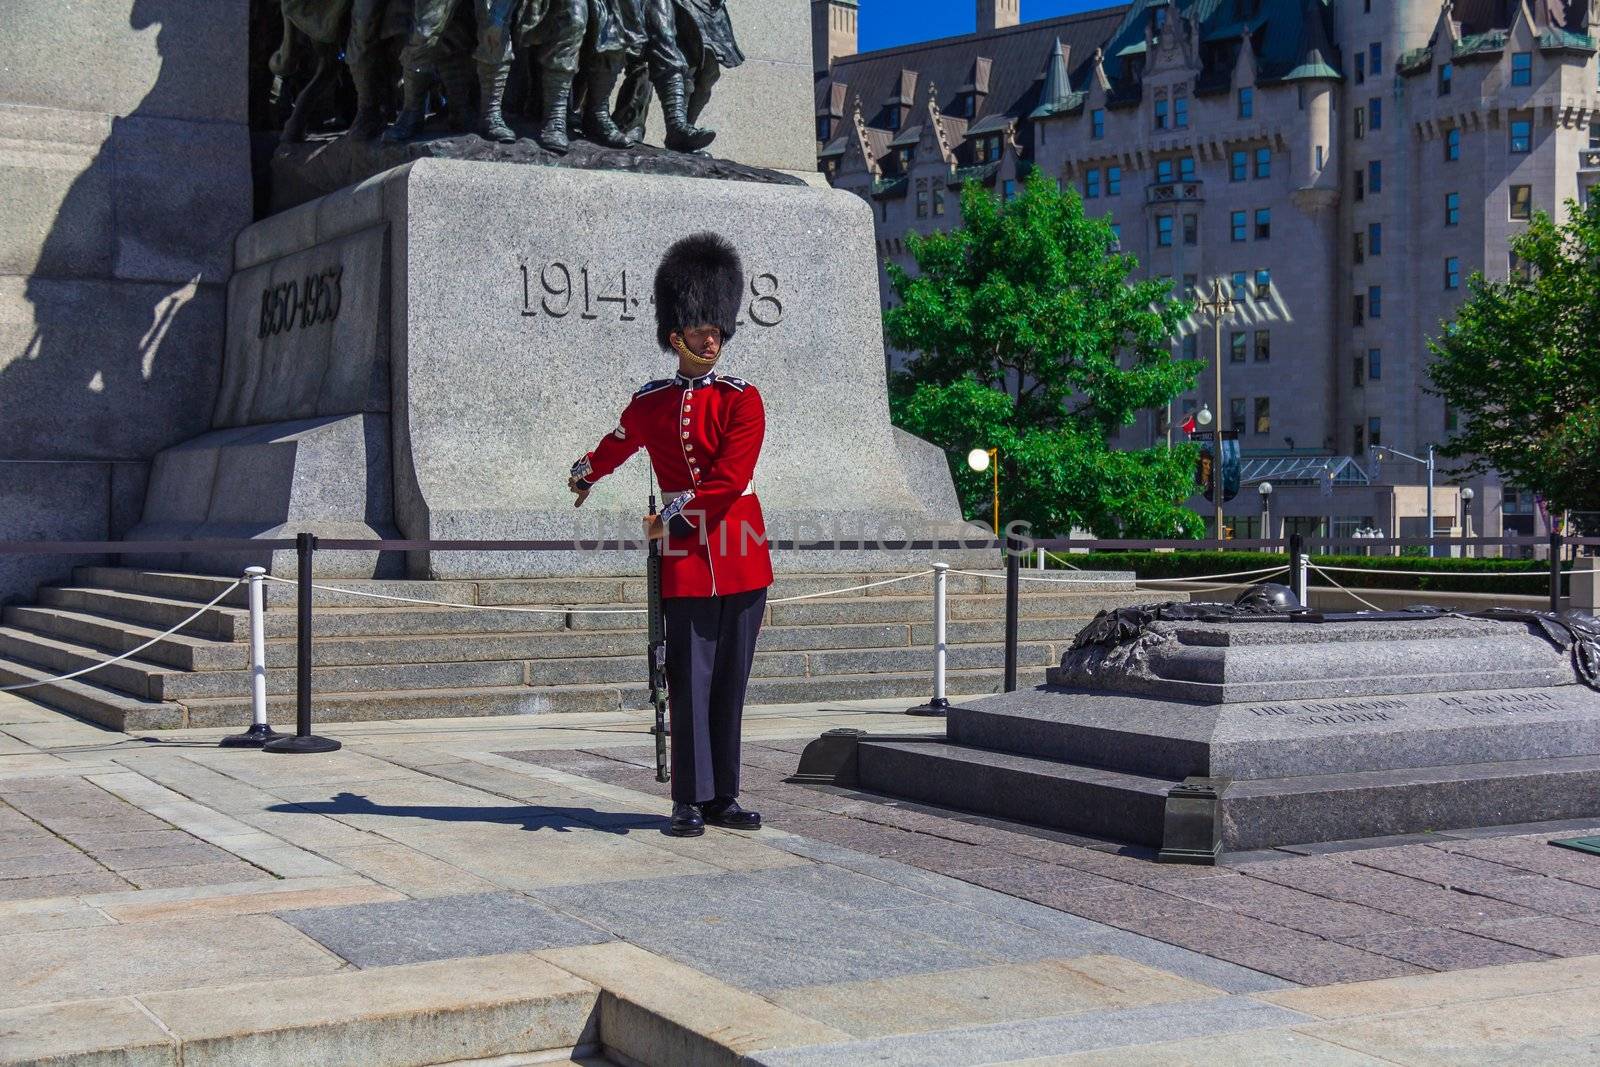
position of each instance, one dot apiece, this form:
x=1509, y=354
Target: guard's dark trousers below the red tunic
x=711, y=644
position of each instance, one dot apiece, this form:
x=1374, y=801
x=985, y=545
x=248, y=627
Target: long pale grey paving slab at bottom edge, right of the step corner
x=1044, y=1037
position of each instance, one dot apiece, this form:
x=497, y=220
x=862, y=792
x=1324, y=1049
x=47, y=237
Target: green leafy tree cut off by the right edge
x=1521, y=366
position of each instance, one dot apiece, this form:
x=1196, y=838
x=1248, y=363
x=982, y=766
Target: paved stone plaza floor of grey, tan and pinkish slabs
x=164, y=897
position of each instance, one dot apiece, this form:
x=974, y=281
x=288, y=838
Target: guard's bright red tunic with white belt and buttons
x=703, y=436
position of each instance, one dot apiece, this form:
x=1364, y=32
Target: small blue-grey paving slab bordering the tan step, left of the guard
x=442, y=929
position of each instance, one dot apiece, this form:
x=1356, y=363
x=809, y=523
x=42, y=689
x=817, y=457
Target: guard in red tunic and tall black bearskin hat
x=703, y=433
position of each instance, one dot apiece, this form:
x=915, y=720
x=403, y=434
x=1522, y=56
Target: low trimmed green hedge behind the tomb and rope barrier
x=1159, y=565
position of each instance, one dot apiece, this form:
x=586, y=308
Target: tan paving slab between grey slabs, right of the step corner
x=983, y=996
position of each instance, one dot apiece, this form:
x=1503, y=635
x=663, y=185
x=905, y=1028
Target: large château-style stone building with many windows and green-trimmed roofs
x=1340, y=167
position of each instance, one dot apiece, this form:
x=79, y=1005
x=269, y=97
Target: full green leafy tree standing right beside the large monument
x=1034, y=338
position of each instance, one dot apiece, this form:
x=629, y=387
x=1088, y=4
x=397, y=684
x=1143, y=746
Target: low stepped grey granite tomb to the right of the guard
x=1377, y=729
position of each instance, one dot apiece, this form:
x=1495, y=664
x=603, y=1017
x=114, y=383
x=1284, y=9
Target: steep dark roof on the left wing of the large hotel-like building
x=1017, y=71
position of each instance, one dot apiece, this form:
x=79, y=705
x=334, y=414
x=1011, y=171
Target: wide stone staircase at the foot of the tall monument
x=380, y=660
